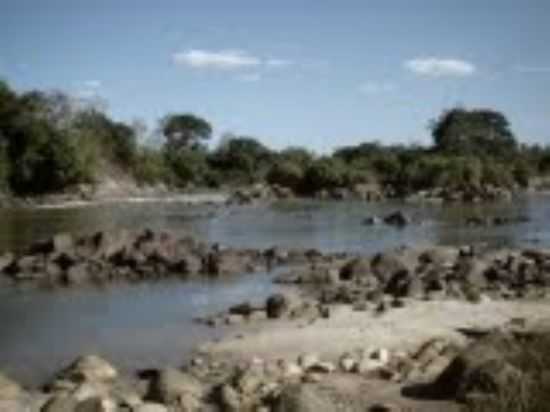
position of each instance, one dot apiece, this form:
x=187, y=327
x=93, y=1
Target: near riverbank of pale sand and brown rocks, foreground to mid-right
x=346, y=333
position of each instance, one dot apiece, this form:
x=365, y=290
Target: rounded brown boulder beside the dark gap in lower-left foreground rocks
x=171, y=386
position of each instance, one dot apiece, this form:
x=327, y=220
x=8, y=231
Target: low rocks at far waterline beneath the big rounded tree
x=469, y=194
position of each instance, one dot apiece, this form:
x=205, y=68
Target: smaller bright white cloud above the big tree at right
x=437, y=67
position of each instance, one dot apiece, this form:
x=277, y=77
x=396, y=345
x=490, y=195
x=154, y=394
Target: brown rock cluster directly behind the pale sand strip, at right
x=388, y=279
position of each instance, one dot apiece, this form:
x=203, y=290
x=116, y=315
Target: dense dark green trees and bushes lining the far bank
x=50, y=143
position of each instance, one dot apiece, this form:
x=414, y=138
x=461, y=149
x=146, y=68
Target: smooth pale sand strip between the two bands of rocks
x=399, y=329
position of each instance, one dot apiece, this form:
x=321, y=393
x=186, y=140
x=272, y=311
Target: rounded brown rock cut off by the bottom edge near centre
x=303, y=398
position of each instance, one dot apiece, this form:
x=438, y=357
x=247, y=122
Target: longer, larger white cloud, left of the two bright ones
x=223, y=59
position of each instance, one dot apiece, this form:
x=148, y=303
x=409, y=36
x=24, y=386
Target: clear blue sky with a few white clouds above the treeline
x=291, y=72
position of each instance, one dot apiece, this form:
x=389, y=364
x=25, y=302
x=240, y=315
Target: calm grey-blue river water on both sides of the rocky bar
x=151, y=324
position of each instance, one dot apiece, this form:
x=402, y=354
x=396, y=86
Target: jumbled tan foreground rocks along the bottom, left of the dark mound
x=91, y=384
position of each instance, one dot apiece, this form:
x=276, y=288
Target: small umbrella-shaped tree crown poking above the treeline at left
x=184, y=131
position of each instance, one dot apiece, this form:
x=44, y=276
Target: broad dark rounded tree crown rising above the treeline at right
x=474, y=132
